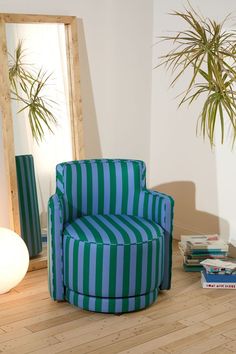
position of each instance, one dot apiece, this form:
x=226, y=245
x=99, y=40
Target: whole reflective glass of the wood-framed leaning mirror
x=40, y=142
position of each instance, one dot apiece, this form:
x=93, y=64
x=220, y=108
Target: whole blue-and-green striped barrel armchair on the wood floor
x=109, y=237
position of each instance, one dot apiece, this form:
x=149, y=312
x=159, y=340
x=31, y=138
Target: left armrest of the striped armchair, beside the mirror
x=55, y=246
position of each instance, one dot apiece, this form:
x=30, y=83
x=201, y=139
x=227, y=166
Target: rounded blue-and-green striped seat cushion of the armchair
x=113, y=256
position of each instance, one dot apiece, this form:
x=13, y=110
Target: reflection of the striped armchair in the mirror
x=28, y=204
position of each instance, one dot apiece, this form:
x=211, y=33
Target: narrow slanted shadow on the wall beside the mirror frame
x=91, y=134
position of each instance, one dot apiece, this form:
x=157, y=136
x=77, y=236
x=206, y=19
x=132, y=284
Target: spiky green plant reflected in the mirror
x=28, y=87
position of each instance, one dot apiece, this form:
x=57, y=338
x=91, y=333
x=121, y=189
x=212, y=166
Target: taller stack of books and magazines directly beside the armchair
x=196, y=248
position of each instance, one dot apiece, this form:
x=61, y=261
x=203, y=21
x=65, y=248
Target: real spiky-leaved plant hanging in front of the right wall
x=208, y=51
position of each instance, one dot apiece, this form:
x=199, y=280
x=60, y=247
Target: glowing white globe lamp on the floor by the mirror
x=14, y=259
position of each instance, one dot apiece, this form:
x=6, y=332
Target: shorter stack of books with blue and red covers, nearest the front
x=218, y=274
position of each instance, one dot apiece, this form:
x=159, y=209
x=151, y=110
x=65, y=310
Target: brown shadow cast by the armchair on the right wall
x=187, y=219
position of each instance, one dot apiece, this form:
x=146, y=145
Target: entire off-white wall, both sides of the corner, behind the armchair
x=116, y=40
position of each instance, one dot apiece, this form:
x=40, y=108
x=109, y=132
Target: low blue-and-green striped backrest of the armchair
x=104, y=186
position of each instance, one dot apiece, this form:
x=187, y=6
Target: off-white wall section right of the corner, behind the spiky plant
x=202, y=181
